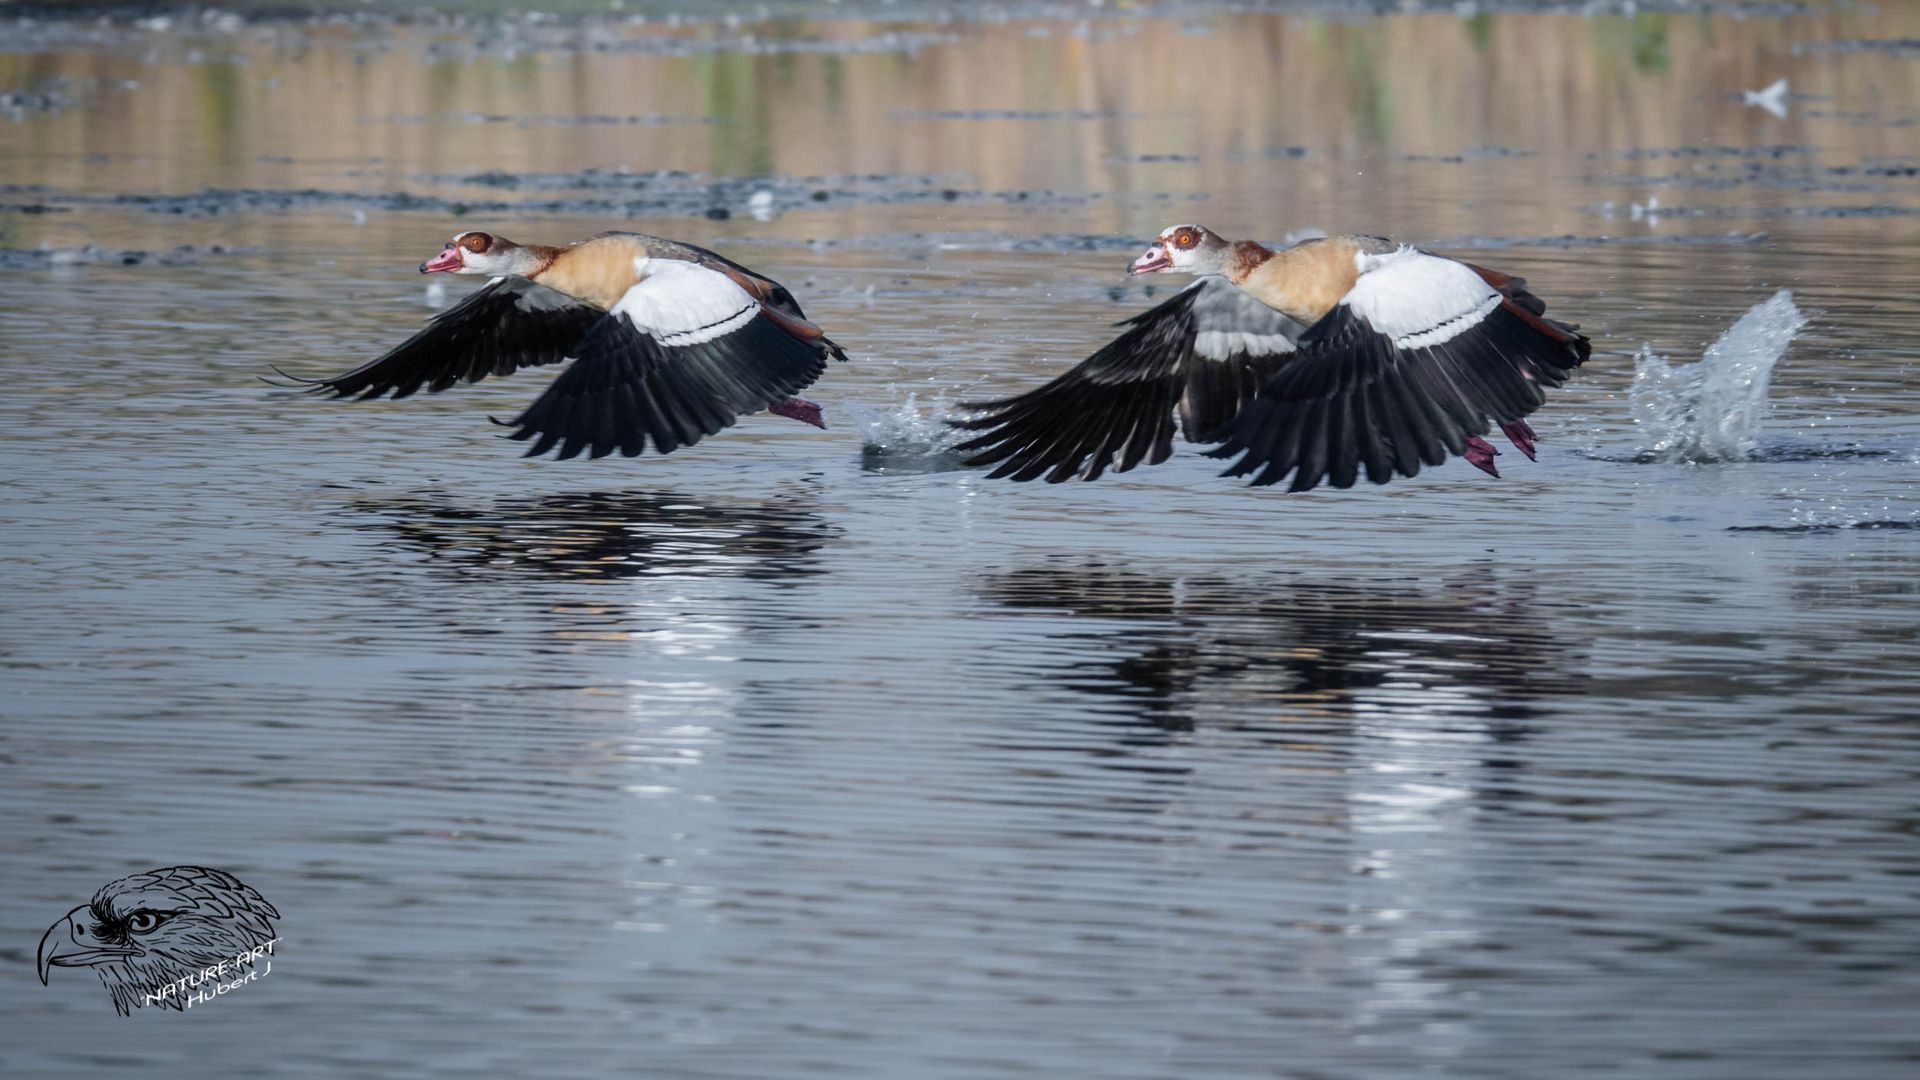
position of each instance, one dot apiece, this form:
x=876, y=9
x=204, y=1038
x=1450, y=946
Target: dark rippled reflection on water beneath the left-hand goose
x=612, y=535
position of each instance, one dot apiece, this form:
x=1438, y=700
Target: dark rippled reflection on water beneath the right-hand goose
x=1299, y=650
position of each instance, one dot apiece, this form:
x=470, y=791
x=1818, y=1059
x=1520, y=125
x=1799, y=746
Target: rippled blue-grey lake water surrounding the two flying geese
x=811, y=754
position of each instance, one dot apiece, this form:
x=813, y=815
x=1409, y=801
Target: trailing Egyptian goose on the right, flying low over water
x=1324, y=360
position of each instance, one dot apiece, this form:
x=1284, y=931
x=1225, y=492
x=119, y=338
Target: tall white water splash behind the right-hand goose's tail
x=1714, y=410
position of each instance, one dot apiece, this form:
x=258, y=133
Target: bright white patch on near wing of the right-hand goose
x=1416, y=299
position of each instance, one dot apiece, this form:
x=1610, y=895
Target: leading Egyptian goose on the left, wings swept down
x=671, y=343
